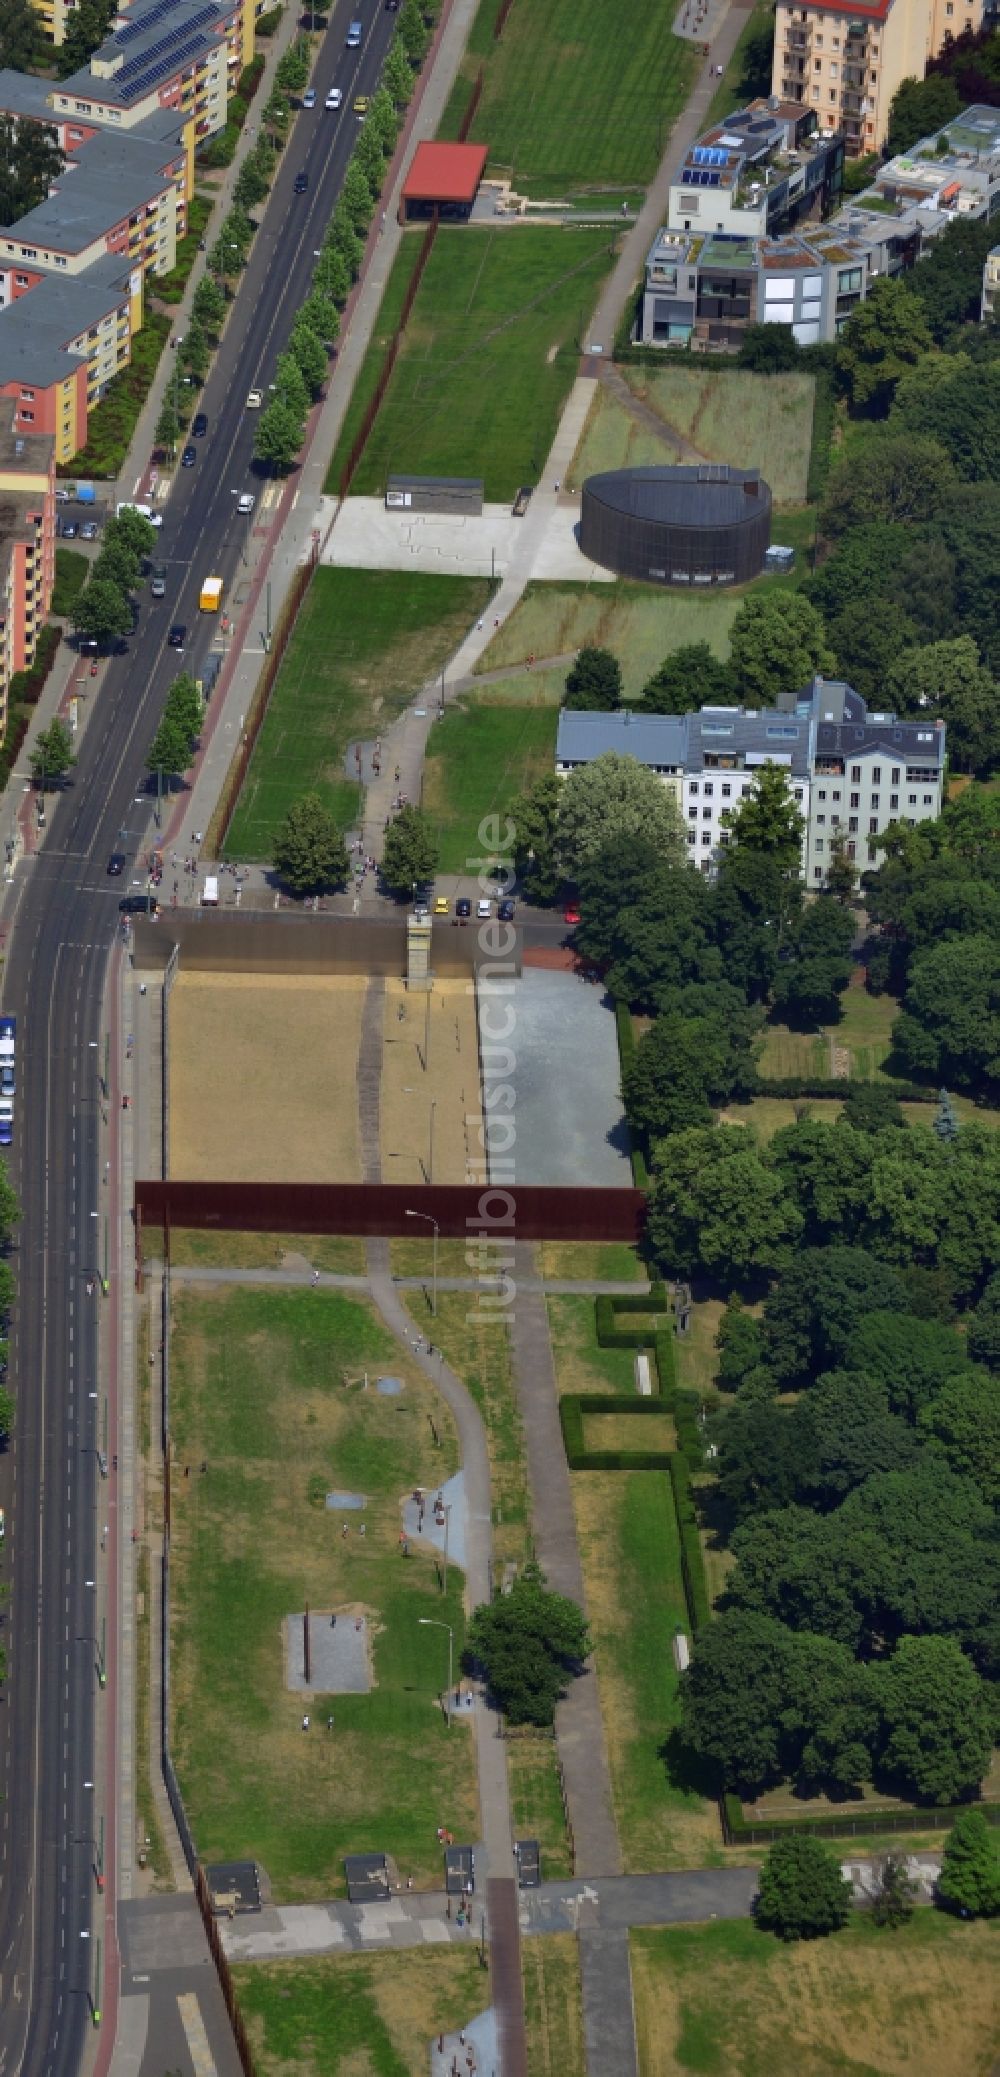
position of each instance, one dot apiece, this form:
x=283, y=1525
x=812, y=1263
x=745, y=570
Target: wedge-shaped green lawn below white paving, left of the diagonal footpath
x=365, y=643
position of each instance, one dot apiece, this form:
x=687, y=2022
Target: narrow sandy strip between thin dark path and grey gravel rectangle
x=429, y=1058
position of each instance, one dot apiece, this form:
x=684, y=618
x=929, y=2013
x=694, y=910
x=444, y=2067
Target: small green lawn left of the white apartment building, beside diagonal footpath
x=477, y=759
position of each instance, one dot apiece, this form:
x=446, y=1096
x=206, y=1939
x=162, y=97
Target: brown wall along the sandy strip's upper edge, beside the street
x=290, y=944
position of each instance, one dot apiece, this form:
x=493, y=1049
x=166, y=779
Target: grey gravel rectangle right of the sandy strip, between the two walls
x=567, y=1125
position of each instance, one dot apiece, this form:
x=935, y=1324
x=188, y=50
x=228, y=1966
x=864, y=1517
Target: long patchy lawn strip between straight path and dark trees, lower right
x=635, y=1600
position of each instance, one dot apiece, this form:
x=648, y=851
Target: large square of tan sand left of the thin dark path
x=265, y=1077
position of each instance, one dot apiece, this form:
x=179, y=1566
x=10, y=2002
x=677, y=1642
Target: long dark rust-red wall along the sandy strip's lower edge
x=307, y=1208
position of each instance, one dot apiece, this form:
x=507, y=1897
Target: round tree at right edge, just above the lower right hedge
x=937, y=1721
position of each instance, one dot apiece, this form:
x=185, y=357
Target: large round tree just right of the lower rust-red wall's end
x=718, y=1208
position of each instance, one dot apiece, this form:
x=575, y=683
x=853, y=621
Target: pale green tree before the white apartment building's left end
x=614, y=799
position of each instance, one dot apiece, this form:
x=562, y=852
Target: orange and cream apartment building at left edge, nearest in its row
x=28, y=545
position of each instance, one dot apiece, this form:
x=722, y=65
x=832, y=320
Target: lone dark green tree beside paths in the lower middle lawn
x=529, y=1642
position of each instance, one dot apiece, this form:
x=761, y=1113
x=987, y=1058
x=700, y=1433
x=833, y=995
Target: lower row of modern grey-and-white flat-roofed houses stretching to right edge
x=704, y=288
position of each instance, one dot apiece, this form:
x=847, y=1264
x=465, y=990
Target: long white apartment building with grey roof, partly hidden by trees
x=851, y=774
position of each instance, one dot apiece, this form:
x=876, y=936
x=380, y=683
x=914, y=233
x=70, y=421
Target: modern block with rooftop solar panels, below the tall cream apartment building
x=762, y=171
